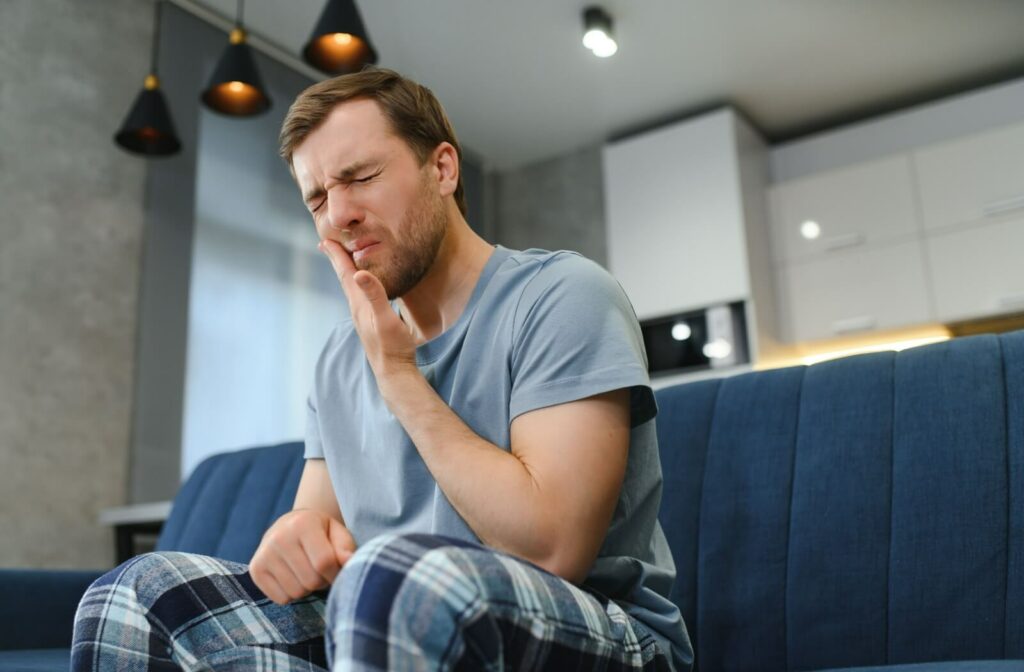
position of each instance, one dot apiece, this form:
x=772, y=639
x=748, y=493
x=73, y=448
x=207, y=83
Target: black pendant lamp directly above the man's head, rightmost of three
x=339, y=45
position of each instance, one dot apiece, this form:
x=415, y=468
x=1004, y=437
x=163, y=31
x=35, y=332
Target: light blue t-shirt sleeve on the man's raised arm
x=577, y=335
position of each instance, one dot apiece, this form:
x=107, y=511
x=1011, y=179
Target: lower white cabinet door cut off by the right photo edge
x=979, y=271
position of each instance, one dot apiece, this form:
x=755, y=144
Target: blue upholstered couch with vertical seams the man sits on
x=867, y=513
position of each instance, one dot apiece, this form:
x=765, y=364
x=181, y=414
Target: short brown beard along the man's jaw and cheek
x=416, y=247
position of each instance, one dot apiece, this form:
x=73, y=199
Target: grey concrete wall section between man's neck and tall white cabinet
x=557, y=204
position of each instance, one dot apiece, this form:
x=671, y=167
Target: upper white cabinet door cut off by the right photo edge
x=973, y=179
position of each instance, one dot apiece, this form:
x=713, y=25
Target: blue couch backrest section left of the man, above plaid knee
x=231, y=499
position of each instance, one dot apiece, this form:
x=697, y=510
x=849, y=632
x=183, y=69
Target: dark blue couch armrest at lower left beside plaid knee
x=38, y=607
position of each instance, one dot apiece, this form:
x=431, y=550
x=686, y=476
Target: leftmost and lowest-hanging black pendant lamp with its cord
x=148, y=129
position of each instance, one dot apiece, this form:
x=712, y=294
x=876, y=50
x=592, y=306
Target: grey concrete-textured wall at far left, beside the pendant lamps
x=71, y=217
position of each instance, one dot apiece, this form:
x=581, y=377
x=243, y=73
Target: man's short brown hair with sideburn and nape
x=414, y=113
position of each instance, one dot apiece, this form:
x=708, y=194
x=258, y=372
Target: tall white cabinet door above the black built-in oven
x=674, y=218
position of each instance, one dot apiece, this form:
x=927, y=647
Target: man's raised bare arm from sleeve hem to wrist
x=551, y=498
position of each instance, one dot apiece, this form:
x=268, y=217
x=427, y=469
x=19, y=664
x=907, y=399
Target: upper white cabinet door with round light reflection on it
x=860, y=205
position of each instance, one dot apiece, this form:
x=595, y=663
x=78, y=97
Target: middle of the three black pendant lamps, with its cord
x=236, y=89
